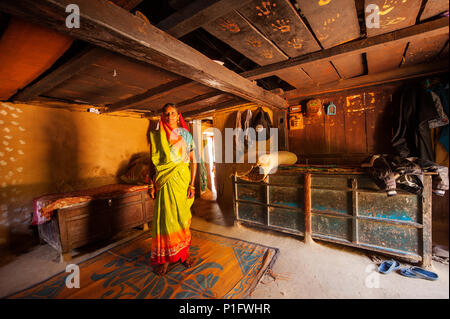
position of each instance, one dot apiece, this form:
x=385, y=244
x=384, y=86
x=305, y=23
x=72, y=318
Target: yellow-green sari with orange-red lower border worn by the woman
x=171, y=236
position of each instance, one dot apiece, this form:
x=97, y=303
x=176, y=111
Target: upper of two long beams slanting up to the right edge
x=427, y=29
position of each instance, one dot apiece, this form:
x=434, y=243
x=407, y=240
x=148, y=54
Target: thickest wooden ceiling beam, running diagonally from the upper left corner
x=106, y=25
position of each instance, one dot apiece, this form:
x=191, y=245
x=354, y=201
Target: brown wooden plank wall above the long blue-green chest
x=362, y=126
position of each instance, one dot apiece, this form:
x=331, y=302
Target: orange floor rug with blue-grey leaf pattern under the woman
x=224, y=268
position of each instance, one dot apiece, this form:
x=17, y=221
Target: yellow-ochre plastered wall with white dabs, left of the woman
x=48, y=150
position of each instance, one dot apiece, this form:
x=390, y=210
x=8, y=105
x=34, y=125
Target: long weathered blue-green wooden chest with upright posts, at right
x=347, y=209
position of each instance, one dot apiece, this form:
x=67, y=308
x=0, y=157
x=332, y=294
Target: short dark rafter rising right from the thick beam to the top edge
x=196, y=14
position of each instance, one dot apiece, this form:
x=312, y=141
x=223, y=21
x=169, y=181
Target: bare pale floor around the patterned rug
x=315, y=271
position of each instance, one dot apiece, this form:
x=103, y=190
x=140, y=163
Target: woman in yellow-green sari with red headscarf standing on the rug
x=172, y=188
